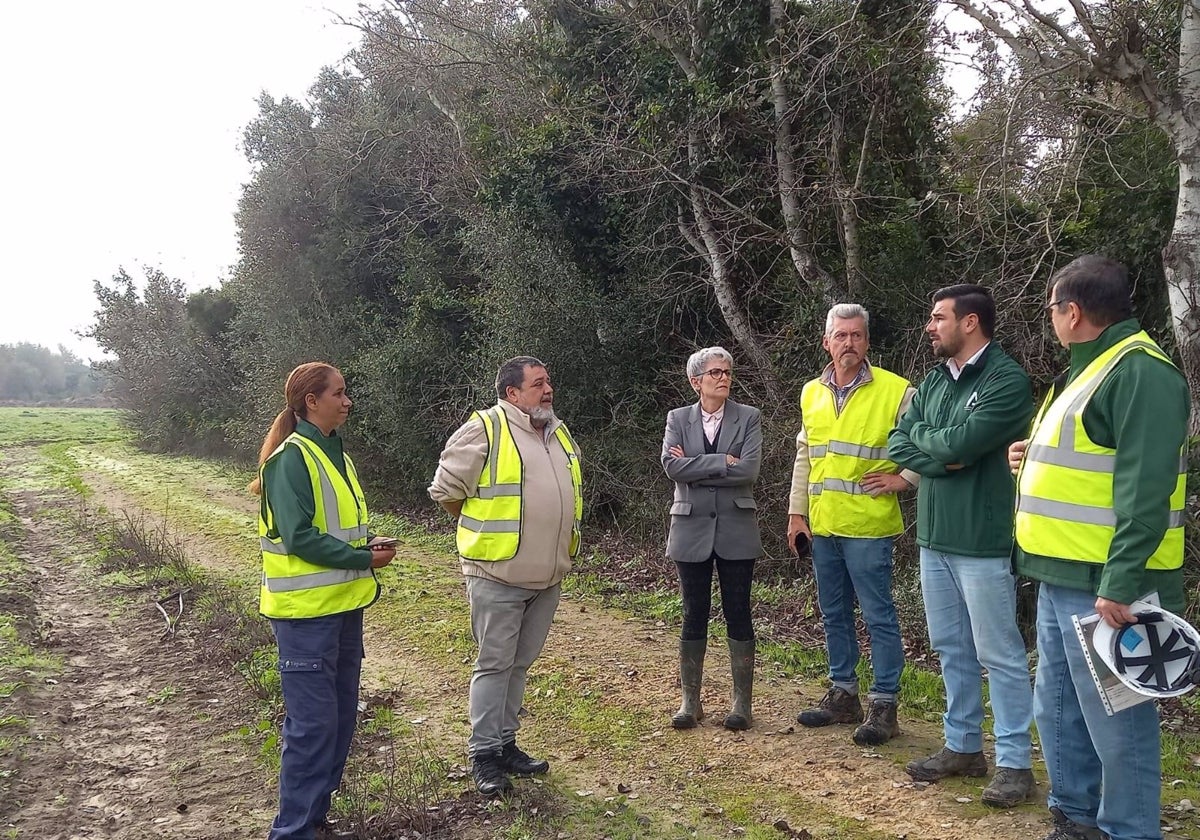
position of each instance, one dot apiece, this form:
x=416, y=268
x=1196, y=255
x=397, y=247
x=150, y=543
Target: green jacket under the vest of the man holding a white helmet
x=1142, y=411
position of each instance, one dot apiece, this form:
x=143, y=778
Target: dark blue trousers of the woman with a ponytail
x=321, y=661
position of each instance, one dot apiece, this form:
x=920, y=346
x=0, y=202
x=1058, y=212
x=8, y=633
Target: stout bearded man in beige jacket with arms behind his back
x=512, y=478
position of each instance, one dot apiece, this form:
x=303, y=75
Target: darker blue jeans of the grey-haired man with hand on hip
x=857, y=567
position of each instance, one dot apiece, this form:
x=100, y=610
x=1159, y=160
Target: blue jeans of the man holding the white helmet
x=1105, y=771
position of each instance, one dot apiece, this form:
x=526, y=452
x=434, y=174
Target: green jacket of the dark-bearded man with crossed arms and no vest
x=967, y=424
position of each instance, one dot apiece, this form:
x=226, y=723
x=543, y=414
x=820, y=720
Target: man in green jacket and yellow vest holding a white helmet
x=1100, y=523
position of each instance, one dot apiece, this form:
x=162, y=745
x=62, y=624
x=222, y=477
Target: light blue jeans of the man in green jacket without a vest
x=971, y=610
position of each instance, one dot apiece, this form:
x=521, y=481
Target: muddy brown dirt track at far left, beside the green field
x=130, y=740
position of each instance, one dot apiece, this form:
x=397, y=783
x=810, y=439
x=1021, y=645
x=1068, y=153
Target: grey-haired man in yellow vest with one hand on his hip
x=844, y=503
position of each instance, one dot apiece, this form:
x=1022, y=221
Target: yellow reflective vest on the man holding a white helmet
x=1065, y=506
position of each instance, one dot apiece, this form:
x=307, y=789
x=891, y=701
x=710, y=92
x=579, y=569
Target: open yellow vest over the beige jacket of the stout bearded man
x=490, y=523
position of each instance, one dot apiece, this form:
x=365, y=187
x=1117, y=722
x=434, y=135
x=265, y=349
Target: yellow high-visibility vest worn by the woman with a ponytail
x=295, y=589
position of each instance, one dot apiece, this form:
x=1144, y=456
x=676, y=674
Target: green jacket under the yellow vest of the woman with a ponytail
x=289, y=491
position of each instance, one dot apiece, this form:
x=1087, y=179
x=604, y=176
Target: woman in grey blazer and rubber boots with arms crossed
x=712, y=451
